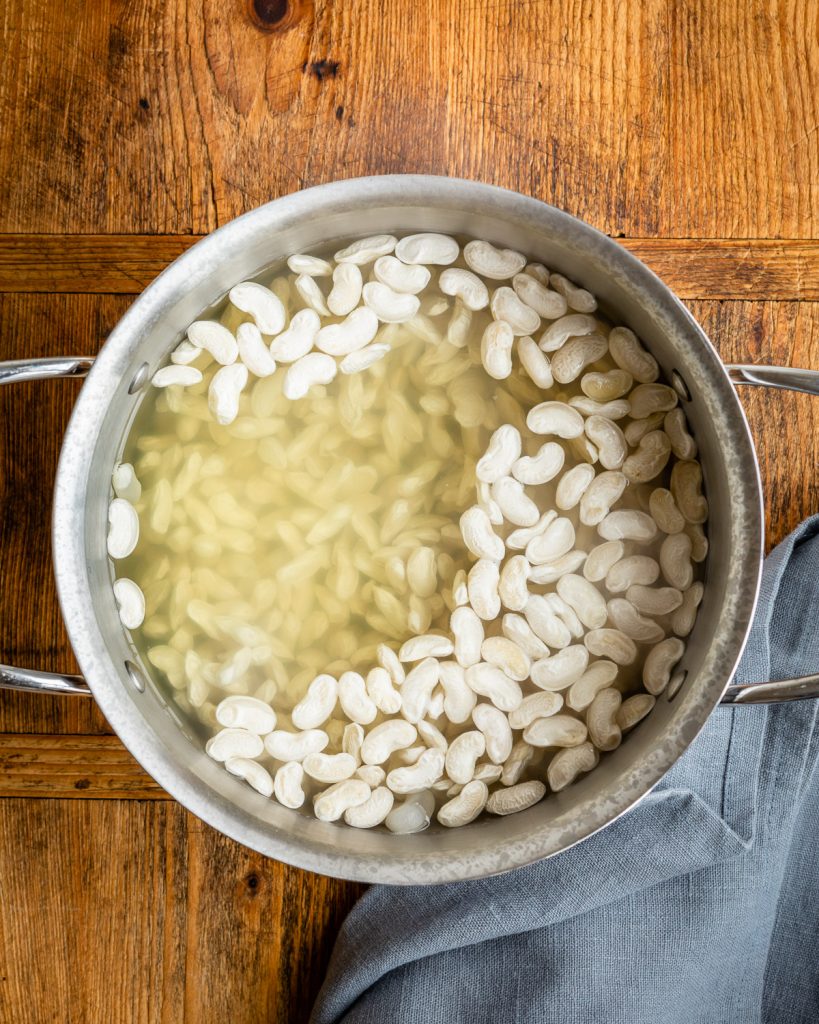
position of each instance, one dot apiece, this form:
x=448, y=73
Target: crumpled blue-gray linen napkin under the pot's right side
x=702, y=905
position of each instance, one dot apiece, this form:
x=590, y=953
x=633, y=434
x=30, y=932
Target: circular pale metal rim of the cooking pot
x=74, y=587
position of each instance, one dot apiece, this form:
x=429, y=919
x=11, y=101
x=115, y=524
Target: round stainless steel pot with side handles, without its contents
x=150, y=727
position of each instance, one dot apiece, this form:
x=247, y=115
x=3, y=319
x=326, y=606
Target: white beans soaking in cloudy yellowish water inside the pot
x=490, y=569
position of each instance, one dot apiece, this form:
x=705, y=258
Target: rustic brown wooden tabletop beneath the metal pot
x=689, y=132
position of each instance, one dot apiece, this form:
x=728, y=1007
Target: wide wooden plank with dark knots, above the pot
x=645, y=119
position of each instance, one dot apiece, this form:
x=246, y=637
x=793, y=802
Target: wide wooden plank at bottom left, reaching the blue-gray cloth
x=136, y=913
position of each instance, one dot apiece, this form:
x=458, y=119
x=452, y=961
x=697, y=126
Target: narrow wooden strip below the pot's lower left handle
x=72, y=767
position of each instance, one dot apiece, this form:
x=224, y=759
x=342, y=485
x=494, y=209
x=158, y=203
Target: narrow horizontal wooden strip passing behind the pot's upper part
x=696, y=269
